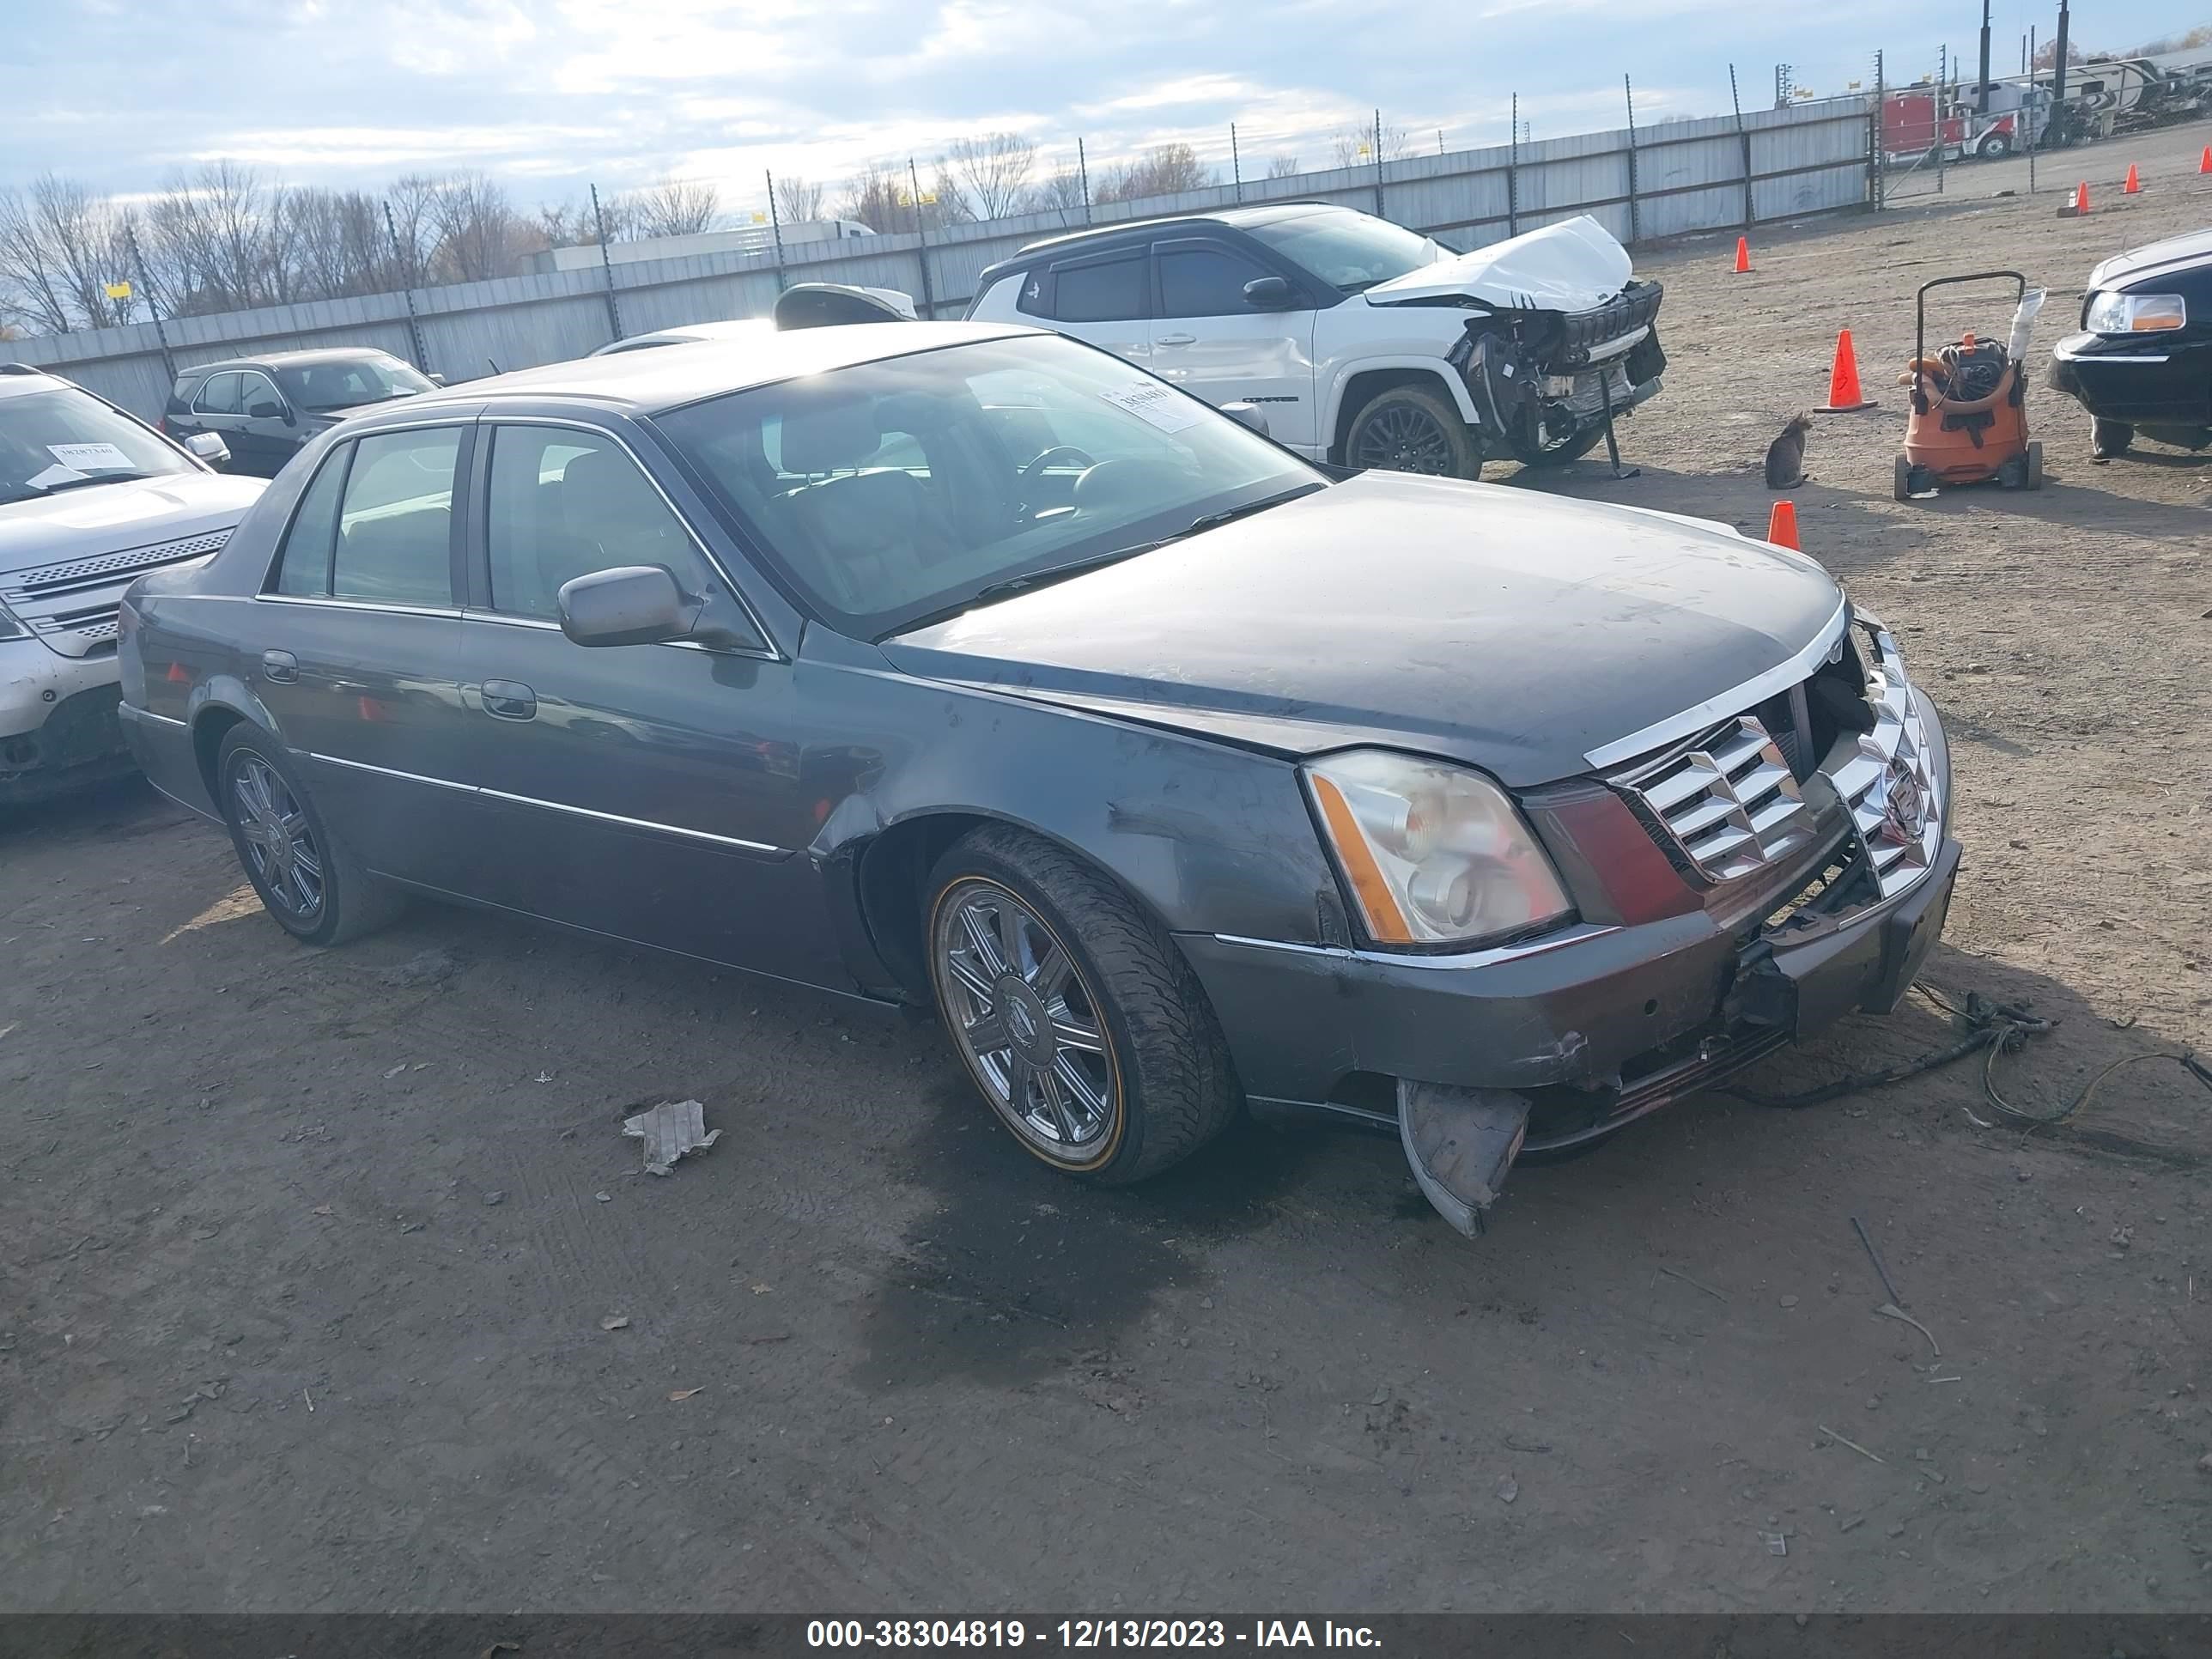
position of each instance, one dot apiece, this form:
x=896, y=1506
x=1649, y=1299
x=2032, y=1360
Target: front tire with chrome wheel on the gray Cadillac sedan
x=1076, y=1019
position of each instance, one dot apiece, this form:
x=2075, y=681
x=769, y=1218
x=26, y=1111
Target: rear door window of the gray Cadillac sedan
x=397, y=521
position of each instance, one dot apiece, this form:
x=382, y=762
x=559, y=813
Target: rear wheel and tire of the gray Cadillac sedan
x=309, y=881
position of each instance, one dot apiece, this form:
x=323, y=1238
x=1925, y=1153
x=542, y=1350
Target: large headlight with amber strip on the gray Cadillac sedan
x=1434, y=855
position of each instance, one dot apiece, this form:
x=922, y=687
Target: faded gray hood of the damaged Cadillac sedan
x=1490, y=625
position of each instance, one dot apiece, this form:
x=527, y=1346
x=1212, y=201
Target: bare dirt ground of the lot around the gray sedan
x=306, y=1260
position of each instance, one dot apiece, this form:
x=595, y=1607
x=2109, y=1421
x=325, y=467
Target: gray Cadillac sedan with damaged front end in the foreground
x=972, y=669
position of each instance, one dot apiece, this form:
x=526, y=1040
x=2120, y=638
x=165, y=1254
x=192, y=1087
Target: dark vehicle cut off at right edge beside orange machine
x=2142, y=362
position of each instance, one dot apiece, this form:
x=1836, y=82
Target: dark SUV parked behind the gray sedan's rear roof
x=267, y=408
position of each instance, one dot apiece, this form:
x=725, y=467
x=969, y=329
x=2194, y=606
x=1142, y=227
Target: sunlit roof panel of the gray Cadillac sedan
x=647, y=382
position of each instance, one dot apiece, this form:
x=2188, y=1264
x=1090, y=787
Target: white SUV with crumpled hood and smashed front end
x=1361, y=344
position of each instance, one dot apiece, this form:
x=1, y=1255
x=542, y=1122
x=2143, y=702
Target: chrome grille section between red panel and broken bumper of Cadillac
x=1729, y=804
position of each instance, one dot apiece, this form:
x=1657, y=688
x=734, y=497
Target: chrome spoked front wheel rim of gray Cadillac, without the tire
x=1027, y=1023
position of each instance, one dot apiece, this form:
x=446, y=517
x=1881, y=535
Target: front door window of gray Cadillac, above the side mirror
x=567, y=503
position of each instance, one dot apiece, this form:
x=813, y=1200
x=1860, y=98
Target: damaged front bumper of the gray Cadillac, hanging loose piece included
x=1481, y=1056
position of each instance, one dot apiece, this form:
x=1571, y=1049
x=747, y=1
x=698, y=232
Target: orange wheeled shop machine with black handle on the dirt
x=1970, y=419
